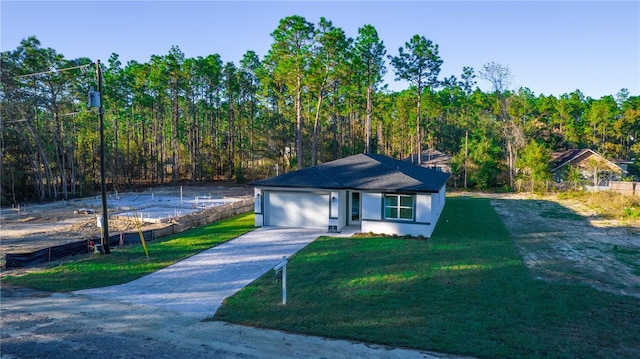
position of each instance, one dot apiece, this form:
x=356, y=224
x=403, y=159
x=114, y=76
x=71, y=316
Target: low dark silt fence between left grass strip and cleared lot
x=209, y=215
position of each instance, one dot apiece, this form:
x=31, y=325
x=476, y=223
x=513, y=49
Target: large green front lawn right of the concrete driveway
x=465, y=291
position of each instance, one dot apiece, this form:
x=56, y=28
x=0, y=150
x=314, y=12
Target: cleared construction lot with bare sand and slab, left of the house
x=38, y=226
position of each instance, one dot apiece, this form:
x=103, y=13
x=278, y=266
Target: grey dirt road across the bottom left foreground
x=67, y=326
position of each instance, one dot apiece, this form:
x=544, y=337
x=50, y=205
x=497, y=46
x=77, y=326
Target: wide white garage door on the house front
x=291, y=209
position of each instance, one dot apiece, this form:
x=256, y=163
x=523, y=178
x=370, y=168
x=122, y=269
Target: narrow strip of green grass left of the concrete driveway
x=128, y=263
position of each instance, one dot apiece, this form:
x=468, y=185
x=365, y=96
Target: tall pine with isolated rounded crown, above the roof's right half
x=420, y=65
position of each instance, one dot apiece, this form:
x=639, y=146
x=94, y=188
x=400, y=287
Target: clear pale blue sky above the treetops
x=550, y=47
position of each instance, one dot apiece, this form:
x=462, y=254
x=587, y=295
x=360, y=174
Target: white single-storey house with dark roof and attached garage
x=376, y=193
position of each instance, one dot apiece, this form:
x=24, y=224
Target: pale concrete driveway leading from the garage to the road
x=197, y=285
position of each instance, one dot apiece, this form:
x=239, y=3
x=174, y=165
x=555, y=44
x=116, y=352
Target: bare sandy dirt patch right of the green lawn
x=563, y=240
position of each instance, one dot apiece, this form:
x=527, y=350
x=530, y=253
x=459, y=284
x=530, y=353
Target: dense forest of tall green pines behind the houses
x=316, y=96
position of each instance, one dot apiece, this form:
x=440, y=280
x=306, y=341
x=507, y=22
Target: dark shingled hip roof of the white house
x=362, y=172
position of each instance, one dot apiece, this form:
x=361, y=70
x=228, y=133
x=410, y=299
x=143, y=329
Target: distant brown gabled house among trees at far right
x=588, y=162
